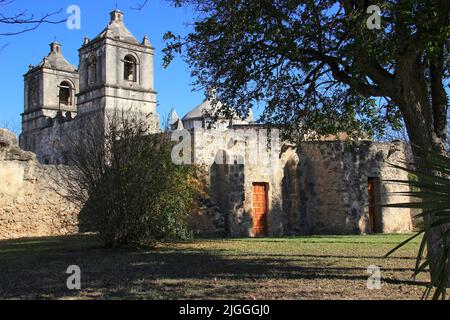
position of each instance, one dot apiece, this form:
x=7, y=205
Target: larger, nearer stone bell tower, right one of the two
x=117, y=74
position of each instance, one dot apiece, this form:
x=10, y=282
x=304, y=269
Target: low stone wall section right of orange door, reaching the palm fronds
x=333, y=187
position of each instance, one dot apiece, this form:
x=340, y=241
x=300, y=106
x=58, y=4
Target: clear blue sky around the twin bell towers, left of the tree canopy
x=173, y=84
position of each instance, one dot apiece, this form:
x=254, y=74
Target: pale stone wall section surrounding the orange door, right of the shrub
x=245, y=155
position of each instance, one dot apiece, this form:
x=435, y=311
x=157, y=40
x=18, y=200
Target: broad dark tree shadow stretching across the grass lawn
x=36, y=268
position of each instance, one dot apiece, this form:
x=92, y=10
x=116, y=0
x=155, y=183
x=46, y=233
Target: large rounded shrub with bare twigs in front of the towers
x=131, y=190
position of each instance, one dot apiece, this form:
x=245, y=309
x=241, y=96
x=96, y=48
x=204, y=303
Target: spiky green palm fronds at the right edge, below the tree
x=430, y=189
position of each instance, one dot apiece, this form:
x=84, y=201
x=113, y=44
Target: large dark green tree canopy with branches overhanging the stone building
x=318, y=64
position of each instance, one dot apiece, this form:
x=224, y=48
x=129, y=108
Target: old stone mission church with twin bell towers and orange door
x=319, y=187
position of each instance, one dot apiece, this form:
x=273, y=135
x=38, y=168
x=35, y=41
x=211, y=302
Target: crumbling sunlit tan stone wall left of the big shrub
x=30, y=204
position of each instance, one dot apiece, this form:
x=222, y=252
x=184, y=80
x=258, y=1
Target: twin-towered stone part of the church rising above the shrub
x=115, y=73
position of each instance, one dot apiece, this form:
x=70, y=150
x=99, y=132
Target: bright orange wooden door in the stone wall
x=259, y=209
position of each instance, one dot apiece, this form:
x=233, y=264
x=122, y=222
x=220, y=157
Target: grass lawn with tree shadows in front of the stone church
x=328, y=267
